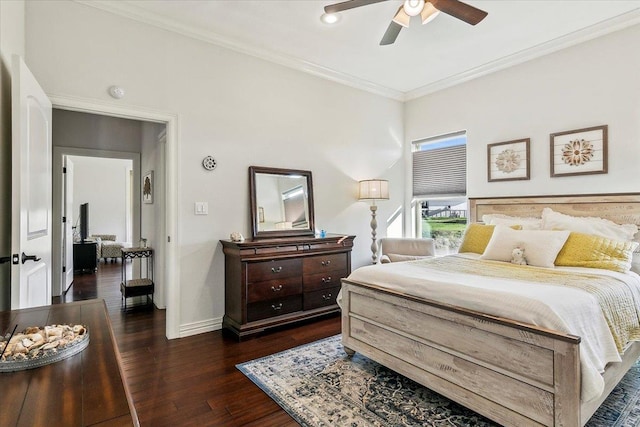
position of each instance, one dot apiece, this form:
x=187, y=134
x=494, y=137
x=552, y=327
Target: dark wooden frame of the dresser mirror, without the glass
x=256, y=233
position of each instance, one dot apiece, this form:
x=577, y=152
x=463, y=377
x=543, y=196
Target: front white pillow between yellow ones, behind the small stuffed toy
x=541, y=247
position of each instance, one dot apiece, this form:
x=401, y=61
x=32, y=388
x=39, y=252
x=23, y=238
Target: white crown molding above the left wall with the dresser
x=132, y=12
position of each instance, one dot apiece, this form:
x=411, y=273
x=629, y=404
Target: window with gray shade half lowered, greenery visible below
x=440, y=189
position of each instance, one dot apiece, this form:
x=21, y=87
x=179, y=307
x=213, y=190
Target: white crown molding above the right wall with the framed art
x=594, y=31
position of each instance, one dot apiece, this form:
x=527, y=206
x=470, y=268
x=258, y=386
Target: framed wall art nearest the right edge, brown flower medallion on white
x=579, y=152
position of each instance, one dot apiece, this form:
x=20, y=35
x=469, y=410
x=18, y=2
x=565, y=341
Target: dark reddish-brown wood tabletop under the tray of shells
x=86, y=389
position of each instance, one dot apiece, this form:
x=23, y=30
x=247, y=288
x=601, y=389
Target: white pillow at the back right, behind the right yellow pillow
x=552, y=220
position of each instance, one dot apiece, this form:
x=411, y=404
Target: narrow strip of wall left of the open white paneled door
x=12, y=41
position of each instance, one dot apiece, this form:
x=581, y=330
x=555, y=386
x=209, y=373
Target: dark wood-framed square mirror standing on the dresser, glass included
x=281, y=202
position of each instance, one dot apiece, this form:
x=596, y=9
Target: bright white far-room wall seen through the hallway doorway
x=103, y=183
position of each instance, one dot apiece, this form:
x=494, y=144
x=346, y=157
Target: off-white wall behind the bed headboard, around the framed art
x=591, y=84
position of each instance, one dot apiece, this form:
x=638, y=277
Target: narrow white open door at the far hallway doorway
x=67, y=225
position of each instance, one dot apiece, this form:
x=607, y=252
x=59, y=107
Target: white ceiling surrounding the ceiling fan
x=423, y=59
